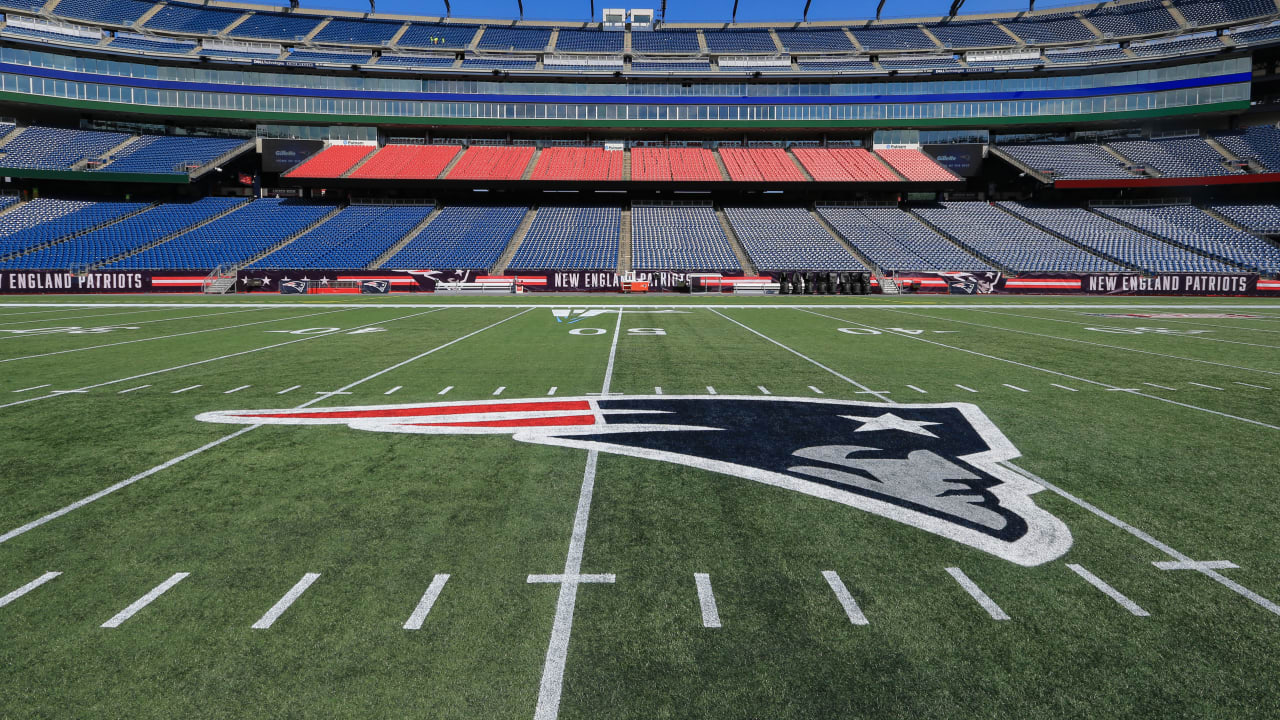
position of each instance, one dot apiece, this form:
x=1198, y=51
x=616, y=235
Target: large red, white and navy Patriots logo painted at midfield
x=935, y=467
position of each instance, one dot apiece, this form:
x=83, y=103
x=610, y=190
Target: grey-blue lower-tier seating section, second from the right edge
x=1195, y=229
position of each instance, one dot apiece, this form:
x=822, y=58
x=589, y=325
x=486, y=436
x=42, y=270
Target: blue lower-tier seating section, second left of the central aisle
x=461, y=238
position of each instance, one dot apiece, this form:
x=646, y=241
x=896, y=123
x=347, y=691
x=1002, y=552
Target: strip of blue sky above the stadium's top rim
x=678, y=11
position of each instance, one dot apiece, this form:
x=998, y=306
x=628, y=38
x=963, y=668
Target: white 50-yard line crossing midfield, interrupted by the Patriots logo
x=557, y=649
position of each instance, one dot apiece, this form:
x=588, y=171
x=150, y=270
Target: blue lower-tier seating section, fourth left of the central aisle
x=232, y=239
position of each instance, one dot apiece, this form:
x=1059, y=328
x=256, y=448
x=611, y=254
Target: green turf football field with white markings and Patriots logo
x=587, y=508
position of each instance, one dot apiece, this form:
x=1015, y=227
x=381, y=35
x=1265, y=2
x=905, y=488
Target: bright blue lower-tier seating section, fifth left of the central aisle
x=126, y=236
